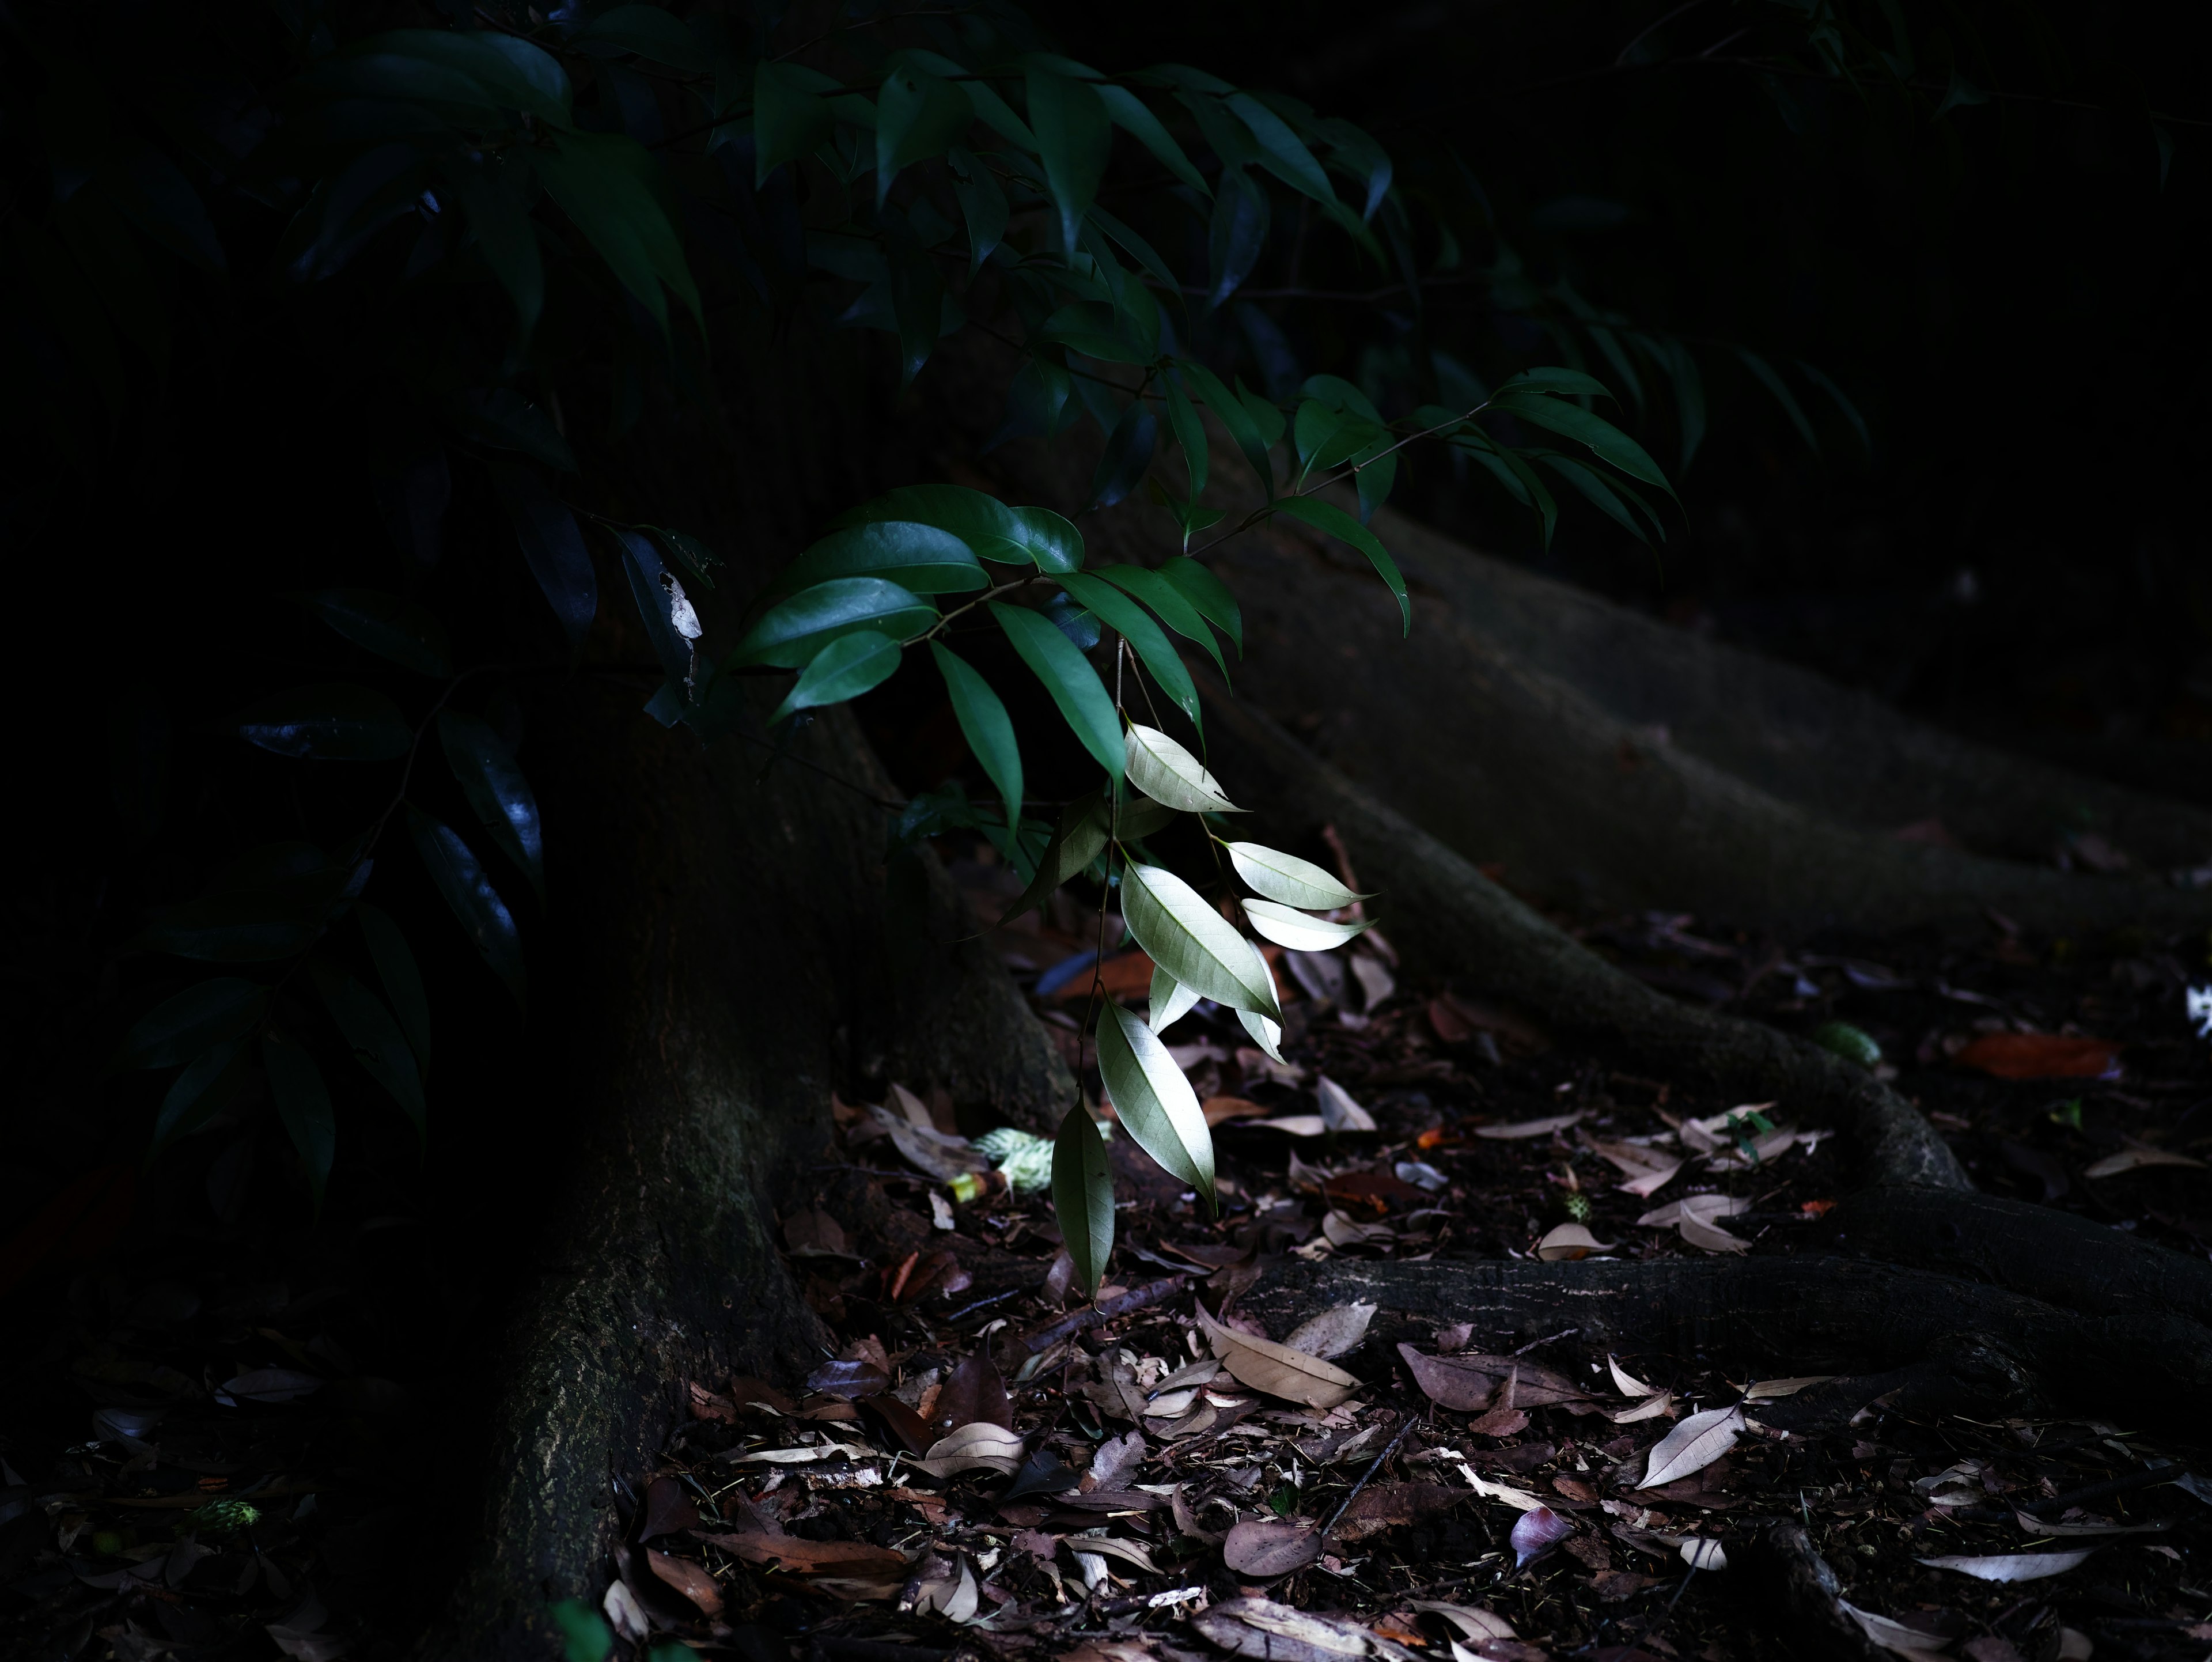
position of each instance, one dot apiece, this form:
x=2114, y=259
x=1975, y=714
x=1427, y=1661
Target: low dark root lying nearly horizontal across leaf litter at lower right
x=1943, y=1344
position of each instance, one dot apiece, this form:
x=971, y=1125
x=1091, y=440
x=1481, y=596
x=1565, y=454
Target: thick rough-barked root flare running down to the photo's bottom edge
x=722, y=973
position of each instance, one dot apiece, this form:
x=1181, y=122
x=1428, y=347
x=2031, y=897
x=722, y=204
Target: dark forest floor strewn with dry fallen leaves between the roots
x=229, y=1440
